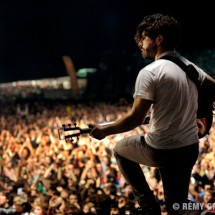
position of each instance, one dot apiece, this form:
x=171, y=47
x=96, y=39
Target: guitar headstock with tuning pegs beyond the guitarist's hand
x=68, y=131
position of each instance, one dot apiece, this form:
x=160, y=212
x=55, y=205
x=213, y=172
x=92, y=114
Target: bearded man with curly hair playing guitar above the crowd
x=171, y=143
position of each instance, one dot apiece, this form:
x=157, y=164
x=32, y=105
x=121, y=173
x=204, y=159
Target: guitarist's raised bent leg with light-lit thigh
x=129, y=153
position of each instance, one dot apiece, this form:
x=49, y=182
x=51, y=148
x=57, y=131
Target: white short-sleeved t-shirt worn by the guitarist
x=173, y=112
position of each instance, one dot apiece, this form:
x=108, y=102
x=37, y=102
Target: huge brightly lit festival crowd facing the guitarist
x=44, y=173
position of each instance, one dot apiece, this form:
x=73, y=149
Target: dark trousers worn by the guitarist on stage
x=175, y=167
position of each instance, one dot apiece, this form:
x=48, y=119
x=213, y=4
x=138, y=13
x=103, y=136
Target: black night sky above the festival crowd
x=34, y=34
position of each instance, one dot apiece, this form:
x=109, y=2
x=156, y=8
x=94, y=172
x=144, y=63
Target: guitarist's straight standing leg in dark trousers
x=176, y=178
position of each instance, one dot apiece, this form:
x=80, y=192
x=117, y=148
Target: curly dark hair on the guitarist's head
x=159, y=24
